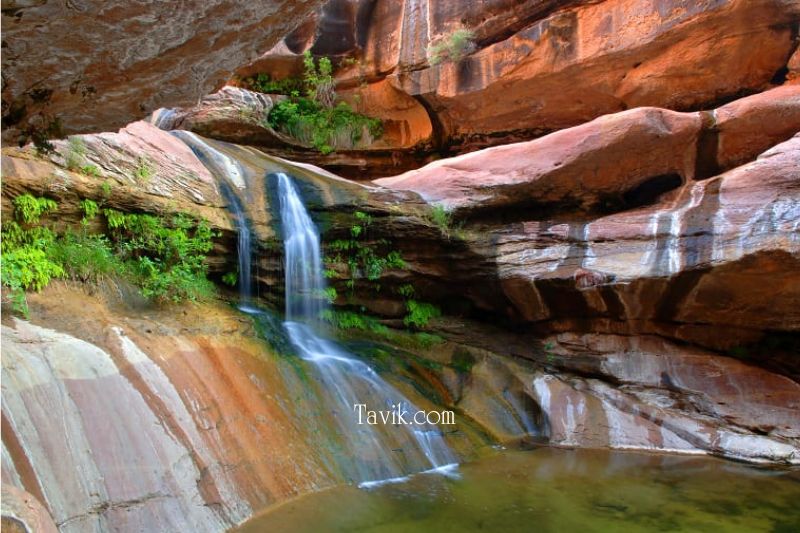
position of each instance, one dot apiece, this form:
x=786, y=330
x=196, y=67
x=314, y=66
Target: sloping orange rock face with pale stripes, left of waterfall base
x=153, y=419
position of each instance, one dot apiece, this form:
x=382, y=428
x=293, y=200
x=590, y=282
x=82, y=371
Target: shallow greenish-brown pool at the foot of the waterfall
x=556, y=490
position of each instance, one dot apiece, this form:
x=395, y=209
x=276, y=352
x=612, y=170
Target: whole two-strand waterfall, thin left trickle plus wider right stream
x=374, y=453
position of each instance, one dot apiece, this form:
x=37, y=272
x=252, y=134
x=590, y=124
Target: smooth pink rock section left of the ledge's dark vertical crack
x=577, y=166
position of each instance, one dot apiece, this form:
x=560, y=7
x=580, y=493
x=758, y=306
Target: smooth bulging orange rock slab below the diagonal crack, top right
x=579, y=63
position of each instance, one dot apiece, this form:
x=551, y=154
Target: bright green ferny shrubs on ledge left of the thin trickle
x=164, y=257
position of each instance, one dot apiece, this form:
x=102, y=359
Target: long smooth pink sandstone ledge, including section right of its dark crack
x=600, y=165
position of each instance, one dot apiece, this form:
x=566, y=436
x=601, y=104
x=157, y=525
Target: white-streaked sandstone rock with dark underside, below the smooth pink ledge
x=721, y=252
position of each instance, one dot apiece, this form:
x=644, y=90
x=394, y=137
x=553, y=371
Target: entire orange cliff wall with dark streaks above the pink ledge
x=538, y=66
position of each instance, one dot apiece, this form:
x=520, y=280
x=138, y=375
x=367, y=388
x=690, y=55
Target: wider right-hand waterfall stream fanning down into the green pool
x=383, y=453
